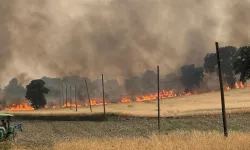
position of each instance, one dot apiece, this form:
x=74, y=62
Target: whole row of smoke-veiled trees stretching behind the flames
x=234, y=61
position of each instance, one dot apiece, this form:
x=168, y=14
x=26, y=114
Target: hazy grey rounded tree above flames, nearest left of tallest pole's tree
x=191, y=76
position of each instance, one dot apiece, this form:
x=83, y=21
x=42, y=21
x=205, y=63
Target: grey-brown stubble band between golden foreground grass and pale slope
x=47, y=134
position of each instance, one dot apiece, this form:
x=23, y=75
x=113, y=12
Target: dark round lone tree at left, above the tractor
x=35, y=93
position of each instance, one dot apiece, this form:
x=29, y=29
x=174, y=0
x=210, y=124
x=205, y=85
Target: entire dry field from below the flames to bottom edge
x=186, y=130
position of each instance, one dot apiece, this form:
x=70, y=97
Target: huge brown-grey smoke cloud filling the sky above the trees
x=115, y=37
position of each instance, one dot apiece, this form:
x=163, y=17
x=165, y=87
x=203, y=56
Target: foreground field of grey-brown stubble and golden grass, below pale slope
x=203, y=132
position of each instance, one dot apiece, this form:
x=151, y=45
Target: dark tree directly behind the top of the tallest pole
x=226, y=56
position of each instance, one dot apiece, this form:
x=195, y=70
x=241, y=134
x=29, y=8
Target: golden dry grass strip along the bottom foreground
x=179, y=140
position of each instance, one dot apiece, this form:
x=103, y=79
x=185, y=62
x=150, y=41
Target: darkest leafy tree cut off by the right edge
x=241, y=63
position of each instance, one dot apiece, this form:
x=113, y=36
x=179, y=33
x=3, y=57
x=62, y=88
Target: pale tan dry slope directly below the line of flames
x=201, y=103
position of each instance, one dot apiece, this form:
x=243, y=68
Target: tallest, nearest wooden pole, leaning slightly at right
x=222, y=92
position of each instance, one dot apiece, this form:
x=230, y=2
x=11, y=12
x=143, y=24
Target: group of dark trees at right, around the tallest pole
x=234, y=61
